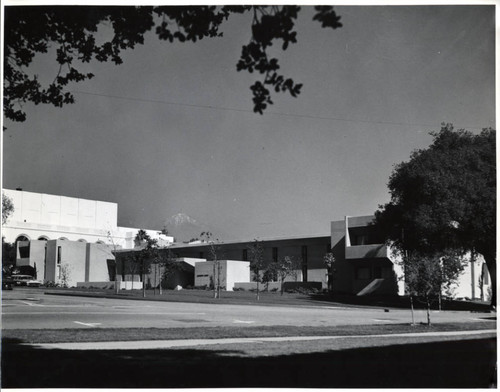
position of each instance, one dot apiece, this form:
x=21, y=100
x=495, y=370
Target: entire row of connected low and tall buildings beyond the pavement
x=75, y=241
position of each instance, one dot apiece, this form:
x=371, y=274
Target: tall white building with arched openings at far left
x=67, y=240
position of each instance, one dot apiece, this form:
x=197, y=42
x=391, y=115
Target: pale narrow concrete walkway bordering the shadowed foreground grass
x=166, y=344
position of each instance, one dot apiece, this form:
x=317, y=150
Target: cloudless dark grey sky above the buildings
x=172, y=129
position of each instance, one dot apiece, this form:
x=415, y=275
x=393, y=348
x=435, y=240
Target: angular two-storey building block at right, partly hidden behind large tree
x=366, y=265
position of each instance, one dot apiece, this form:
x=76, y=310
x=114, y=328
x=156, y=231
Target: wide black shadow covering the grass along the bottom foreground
x=455, y=364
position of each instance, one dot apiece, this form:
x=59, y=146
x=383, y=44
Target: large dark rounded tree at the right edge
x=444, y=198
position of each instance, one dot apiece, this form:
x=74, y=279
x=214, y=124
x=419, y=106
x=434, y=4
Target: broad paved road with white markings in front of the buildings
x=31, y=308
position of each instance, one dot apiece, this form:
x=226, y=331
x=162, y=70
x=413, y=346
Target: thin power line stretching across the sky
x=134, y=99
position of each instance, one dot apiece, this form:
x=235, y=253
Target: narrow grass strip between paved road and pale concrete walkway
x=136, y=334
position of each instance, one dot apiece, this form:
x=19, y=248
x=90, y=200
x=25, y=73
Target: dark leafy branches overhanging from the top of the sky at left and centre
x=72, y=32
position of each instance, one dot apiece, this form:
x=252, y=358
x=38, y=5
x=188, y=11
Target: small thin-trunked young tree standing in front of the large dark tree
x=426, y=276
